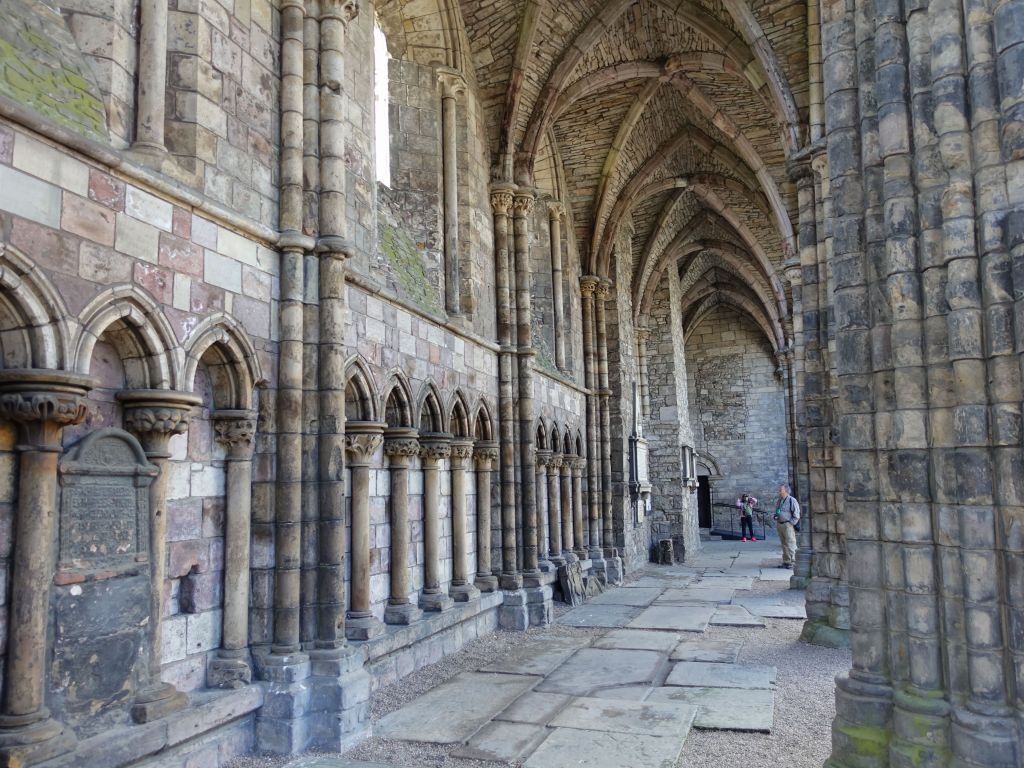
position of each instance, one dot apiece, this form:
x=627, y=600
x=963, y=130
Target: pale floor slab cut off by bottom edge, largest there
x=580, y=749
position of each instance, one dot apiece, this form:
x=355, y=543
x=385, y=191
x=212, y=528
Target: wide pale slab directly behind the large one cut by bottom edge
x=665, y=719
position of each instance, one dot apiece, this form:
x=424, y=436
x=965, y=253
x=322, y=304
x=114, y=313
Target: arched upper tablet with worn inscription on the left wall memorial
x=105, y=502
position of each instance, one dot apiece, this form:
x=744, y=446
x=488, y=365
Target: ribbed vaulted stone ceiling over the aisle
x=669, y=119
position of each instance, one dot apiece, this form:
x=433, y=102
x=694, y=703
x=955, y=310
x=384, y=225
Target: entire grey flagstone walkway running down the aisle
x=623, y=691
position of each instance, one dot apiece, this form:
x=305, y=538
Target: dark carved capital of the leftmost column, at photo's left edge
x=44, y=403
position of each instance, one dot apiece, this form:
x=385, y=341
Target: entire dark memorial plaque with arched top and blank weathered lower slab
x=101, y=603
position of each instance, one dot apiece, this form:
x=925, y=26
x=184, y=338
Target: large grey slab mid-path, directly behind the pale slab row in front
x=601, y=668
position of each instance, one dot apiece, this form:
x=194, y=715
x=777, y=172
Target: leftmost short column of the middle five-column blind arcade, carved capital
x=362, y=442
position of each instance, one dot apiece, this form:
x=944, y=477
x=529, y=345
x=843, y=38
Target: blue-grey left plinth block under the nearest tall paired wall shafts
x=282, y=724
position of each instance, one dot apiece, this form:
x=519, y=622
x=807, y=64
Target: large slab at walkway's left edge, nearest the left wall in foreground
x=455, y=710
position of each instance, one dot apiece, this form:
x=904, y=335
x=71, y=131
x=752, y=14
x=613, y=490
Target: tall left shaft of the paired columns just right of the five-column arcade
x=501, y=201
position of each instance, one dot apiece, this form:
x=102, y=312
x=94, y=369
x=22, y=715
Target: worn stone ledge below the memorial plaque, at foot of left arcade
x=208, y=711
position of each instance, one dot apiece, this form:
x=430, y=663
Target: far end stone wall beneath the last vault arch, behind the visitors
x=738, y=406
